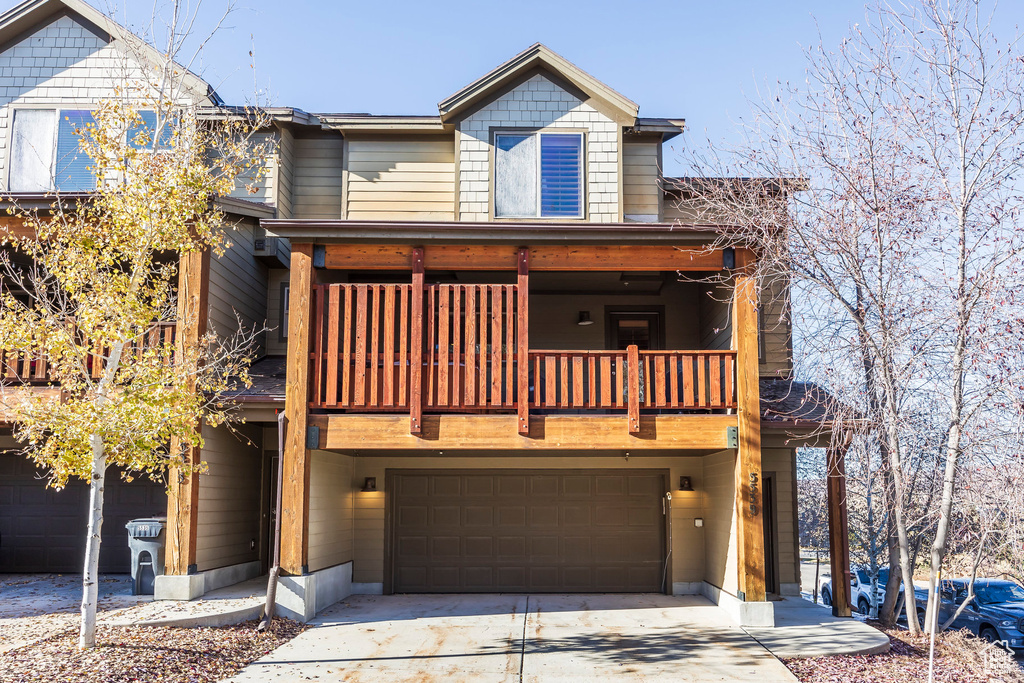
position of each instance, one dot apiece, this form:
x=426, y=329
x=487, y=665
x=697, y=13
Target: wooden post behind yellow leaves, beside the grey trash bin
x=183, y=501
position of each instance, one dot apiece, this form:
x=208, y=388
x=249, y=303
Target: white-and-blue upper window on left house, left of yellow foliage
x=46, y=153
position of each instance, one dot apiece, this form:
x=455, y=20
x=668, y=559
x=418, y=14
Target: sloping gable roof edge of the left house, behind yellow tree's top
x=18, y=23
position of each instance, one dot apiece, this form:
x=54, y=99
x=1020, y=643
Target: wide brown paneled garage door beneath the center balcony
x=502, y=531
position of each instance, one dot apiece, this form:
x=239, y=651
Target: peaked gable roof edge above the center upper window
x=539, y=58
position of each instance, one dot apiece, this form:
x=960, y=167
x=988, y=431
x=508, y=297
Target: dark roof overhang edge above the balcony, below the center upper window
x=503, y=233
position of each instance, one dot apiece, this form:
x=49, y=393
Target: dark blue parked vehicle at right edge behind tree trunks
x=997, y=614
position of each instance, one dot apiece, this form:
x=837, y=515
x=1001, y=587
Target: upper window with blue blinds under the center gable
x=539, y=176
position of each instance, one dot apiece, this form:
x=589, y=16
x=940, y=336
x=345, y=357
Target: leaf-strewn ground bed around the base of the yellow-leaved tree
x=146, y=654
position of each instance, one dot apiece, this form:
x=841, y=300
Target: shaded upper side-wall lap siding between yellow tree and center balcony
x=238, y=284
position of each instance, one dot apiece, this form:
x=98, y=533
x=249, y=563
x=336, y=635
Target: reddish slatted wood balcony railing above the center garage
x=376, y=351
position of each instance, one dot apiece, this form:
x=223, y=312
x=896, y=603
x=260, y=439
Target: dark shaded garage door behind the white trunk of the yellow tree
x=42, y=530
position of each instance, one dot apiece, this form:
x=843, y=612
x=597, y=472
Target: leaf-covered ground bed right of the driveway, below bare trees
x=960, y=658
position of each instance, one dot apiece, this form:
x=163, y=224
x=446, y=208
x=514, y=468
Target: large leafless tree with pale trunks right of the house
x=884, y=189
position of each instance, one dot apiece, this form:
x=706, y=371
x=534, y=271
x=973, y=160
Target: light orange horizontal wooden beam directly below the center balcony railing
x=552, y=433
